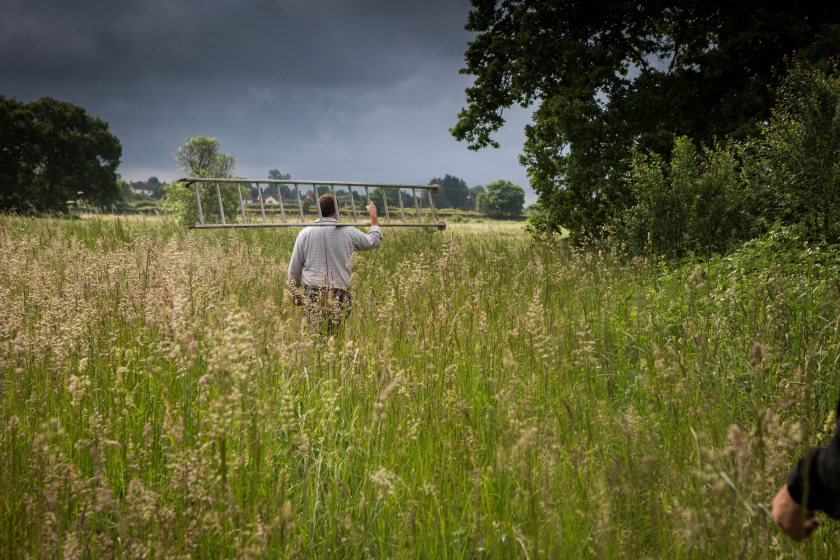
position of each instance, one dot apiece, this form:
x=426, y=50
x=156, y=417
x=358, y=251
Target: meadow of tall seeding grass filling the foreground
x=491, y=396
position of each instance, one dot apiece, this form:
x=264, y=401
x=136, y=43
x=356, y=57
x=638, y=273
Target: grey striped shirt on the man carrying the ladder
x=321, y=256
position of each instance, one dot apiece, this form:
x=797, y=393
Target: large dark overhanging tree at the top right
x=603, y=77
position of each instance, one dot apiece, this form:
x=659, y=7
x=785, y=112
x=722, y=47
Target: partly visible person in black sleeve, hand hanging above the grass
x=813, y=485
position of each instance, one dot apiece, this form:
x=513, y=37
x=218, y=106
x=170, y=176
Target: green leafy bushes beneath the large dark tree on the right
x=708, y=202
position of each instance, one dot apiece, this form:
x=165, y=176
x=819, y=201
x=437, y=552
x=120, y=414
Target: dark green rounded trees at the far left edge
x=52, y=152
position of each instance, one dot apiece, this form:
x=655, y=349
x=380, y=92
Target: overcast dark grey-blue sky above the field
x=359, y=90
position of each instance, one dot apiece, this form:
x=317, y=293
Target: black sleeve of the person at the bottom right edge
x=816, y=479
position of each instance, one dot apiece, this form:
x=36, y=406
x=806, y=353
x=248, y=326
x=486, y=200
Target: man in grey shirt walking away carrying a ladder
x=321, y=264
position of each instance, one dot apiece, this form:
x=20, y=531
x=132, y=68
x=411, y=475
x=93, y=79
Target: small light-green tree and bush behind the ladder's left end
x=200, y=157
